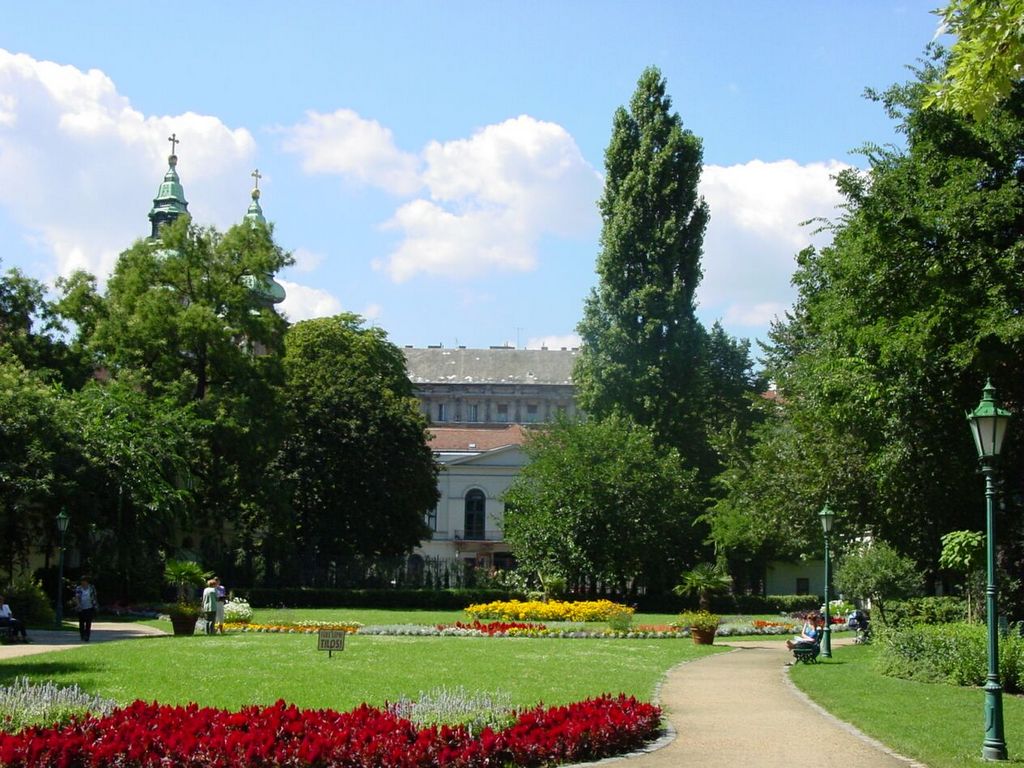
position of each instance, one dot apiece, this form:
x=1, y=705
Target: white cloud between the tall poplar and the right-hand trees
x=755, y=233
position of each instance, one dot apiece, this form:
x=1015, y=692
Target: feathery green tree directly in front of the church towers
x=182, y=321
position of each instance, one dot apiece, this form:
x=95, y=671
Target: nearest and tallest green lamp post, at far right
x=989, y=426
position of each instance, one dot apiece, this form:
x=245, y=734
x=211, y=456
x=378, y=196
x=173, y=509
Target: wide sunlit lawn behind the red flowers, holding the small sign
x=236, y=670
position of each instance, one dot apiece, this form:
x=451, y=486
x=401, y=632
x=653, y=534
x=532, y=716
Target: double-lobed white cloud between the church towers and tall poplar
x=487, y=200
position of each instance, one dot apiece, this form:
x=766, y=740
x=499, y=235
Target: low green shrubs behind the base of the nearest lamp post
x=955, y=654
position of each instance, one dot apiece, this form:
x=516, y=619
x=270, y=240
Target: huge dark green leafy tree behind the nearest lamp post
x=898, y=324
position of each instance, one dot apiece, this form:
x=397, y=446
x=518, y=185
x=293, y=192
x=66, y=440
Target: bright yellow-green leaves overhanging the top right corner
x=988, y=60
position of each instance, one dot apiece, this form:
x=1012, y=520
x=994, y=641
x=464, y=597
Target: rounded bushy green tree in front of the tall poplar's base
x=601, y=501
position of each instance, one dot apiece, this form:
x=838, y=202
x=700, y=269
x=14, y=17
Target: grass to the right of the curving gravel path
x=937, y=724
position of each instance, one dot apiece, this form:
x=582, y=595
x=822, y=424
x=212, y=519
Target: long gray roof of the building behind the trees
x=496, y=366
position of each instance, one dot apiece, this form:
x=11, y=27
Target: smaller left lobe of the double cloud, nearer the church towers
x=345, y=144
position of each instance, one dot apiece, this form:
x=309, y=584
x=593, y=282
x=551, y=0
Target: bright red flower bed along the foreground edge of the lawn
x=150, y=736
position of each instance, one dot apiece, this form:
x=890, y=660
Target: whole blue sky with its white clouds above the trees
x=435, y=166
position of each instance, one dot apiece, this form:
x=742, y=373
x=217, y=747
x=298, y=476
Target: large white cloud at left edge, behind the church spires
x=79, y=166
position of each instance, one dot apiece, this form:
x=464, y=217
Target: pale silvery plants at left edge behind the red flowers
x=25, y=704
